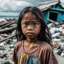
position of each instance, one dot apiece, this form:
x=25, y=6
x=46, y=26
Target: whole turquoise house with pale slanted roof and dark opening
x=53, y=10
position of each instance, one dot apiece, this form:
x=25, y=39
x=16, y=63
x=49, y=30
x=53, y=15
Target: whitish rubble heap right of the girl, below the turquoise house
x=57, y=32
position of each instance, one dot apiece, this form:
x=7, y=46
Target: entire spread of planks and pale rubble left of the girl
x=7, y=39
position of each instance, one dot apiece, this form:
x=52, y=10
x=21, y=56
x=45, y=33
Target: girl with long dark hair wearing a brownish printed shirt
x=33, y=46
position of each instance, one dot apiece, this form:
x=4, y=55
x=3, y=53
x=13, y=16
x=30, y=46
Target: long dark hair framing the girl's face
x=44, y=34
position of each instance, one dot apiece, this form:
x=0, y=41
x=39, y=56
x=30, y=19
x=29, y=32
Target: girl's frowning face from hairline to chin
x=30, y=25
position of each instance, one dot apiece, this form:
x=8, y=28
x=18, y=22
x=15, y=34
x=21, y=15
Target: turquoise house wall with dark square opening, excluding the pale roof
x=54, y=12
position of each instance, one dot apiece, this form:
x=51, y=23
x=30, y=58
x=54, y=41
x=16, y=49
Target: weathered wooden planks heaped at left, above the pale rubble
x=7, y=29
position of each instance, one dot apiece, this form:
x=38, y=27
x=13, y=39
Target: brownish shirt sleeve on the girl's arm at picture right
x=47, y=57
